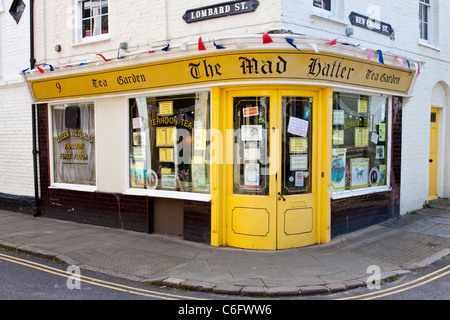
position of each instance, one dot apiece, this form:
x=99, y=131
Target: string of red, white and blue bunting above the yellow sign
x=266, y=39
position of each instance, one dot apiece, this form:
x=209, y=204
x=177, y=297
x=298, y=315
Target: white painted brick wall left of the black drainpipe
x=16, y=162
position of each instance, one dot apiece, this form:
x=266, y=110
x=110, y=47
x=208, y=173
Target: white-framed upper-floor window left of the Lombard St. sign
x=94, y=18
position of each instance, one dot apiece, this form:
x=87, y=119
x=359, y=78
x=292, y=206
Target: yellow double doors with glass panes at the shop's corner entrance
x=271, y=169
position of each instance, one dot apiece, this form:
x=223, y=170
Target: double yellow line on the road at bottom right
x=403, y=287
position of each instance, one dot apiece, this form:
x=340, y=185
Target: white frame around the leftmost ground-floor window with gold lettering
x=60, y=185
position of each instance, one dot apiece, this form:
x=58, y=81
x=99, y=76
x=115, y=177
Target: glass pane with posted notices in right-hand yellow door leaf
x=296, y=145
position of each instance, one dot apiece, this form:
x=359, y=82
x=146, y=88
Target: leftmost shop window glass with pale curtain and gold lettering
x=73, y=144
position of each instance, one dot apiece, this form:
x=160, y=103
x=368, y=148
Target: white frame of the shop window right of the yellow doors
x=370, y=190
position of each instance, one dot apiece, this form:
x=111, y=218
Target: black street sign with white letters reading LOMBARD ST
x=220, y=10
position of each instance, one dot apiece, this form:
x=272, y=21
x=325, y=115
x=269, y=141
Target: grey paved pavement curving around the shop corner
x=396, y=247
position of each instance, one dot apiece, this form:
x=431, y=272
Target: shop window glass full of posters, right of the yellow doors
x=360, y=142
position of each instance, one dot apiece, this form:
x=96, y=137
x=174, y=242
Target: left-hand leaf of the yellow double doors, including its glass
x=251, y=197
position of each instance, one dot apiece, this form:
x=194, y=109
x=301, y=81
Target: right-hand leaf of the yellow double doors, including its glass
x=296, y=213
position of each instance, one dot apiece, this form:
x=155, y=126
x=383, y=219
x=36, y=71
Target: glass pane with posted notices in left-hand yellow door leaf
x=251, y=152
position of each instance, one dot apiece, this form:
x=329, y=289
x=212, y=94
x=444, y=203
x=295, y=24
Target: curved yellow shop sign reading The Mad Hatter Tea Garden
x=228, y=67
